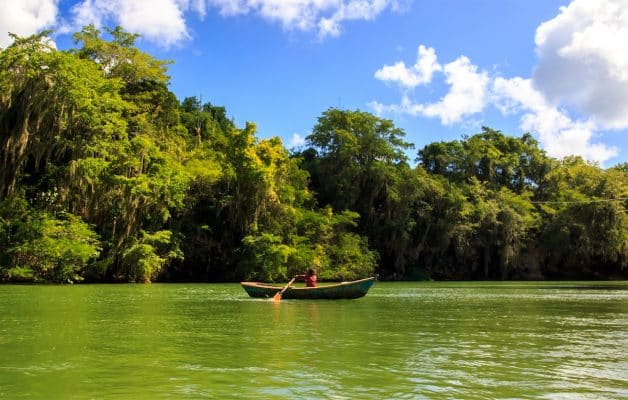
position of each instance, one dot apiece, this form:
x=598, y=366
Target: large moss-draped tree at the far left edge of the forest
x=52, y=107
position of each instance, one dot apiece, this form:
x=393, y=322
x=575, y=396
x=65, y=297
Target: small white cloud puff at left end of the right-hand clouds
x=409, y=77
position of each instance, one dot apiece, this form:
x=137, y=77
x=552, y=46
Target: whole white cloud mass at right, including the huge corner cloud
x=582, y=66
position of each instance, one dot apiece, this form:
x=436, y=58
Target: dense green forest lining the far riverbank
x=106, y=176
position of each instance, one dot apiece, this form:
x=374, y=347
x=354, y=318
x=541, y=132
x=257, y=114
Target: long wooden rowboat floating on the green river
x=343, y=290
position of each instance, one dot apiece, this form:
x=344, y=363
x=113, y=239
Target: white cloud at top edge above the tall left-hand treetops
x=160, y=21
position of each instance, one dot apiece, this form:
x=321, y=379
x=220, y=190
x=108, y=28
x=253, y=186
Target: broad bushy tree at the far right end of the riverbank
x=585, y=229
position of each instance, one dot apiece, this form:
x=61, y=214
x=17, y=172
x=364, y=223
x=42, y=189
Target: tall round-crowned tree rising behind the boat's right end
x=357, y=162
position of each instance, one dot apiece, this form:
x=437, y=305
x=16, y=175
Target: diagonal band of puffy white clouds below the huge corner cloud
x=471, y=91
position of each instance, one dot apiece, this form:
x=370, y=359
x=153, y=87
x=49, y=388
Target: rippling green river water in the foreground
x=410, y=340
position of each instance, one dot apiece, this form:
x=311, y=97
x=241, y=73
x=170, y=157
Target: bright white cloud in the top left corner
x=25, y=17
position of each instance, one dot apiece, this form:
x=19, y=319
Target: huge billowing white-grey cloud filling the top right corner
x=583, y=60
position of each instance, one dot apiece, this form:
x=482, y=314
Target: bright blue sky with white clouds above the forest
x=439, y=69
